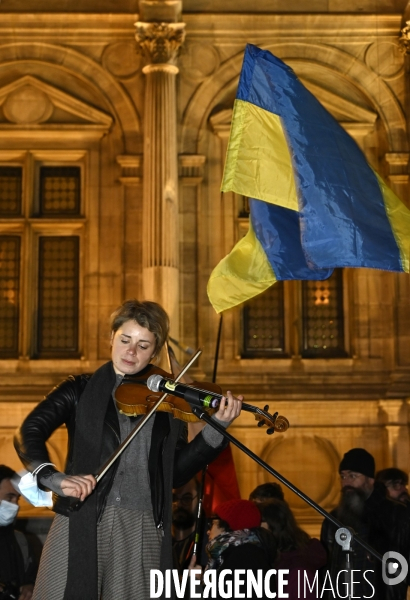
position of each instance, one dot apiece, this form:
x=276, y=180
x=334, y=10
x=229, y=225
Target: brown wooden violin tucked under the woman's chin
x=133, y=398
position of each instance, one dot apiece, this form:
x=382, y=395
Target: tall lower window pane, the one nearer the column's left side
x=58, y=296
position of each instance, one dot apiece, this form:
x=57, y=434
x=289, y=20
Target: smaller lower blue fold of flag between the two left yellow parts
x=277, y=229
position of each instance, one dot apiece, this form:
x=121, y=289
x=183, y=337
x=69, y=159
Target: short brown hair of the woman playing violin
x=147, y=314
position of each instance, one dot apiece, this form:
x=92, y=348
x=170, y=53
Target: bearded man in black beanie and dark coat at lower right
x=378, y=519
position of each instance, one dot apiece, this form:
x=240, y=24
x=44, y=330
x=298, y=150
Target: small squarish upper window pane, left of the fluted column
x=60, y=191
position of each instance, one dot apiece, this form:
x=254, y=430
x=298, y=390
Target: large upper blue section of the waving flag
x=343, y=220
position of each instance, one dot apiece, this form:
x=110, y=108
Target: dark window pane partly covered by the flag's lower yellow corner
x=263, y=324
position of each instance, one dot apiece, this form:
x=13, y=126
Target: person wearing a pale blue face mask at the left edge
x=17, y=565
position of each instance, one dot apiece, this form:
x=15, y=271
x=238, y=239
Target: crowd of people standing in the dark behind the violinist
x=257, y=534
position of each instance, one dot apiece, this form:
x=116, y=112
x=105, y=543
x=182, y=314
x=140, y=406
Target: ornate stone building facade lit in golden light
x=114, y=123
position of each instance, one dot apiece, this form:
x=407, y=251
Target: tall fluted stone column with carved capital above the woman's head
x=160, y=42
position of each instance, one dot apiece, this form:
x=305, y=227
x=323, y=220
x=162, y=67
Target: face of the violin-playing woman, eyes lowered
x=132, y=347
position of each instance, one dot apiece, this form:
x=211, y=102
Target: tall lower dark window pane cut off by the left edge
x=9, y=295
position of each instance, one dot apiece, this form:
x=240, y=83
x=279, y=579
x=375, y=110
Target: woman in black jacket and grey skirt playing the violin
x=107, y=548
